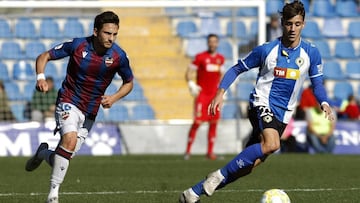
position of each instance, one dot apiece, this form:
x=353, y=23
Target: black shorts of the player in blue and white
x=261, y=117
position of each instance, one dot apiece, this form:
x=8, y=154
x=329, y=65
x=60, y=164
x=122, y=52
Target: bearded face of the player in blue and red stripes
x=107, y=34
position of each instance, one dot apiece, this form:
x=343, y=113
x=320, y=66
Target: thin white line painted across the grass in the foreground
x=174, y=191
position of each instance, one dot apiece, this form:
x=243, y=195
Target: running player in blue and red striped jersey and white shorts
x=93, y=62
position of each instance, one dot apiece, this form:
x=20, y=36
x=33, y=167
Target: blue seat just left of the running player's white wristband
x=23, y=70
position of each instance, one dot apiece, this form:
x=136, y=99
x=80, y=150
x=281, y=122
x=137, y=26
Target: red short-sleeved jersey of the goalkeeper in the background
x=209, y=69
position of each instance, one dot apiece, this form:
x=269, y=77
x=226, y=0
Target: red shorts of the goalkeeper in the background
x=201, y=108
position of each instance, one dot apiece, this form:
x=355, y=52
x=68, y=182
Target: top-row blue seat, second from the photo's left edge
x=25, y=28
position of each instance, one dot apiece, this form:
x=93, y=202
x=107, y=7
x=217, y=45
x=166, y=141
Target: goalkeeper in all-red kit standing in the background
x=208, y=67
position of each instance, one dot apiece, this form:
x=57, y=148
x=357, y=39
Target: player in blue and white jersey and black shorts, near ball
x=283, y=65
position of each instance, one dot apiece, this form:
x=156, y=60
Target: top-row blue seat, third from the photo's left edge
x=49, y=28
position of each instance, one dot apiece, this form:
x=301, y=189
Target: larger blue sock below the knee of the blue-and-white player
x=243, y=160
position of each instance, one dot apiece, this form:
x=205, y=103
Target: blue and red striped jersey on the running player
x=89, y=74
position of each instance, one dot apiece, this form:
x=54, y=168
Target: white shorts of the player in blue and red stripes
x=70, y=119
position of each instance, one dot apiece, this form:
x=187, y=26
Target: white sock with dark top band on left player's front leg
x=61, y=164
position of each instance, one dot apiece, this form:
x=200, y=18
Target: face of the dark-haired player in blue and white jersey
x=292, y=30
